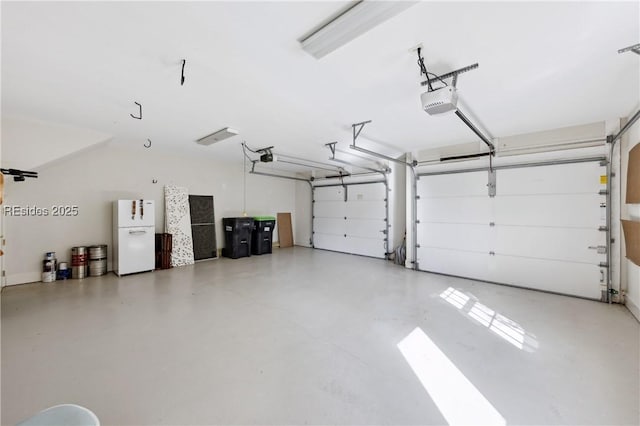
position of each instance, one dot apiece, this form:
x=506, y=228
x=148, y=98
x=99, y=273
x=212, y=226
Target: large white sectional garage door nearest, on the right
x=536, y=232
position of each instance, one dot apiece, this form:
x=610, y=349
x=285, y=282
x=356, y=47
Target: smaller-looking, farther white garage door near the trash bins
x=350, y=219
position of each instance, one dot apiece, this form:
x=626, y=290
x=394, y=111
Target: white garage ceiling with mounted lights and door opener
x=543, y=65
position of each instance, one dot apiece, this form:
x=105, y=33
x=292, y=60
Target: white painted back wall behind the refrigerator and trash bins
x=92, y=179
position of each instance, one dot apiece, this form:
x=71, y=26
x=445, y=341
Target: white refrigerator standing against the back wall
x=133, y=236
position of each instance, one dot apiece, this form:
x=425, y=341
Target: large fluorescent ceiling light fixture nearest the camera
x=356, y=20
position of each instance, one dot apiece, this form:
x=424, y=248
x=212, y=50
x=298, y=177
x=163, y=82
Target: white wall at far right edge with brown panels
x=630, y=272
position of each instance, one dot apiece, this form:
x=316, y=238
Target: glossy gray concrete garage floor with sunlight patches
x=306, y=336
